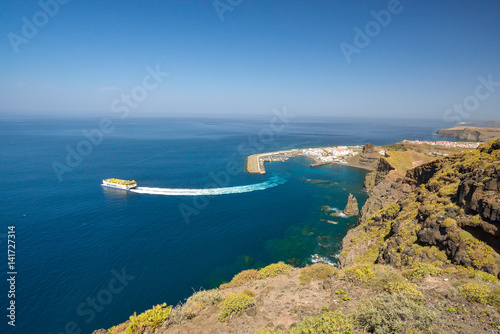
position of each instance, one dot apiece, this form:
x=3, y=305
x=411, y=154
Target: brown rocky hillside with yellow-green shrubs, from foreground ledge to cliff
x=423, y=259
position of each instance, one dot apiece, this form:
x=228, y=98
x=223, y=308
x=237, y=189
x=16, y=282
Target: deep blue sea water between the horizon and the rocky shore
x=88, y=257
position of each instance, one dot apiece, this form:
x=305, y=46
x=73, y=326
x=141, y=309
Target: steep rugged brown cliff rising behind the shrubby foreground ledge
x=443, y=211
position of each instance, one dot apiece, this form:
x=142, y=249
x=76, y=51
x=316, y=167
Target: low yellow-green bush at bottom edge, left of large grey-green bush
x=327, y=323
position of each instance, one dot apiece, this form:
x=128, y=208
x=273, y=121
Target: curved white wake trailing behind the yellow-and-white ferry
x=272, y=182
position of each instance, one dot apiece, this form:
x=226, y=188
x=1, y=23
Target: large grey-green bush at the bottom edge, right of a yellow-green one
x=396, y=313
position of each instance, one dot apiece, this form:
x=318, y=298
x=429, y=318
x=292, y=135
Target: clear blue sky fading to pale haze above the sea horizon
x=418, y=61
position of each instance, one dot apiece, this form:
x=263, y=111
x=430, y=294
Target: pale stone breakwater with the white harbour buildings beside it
x=320, y=156
